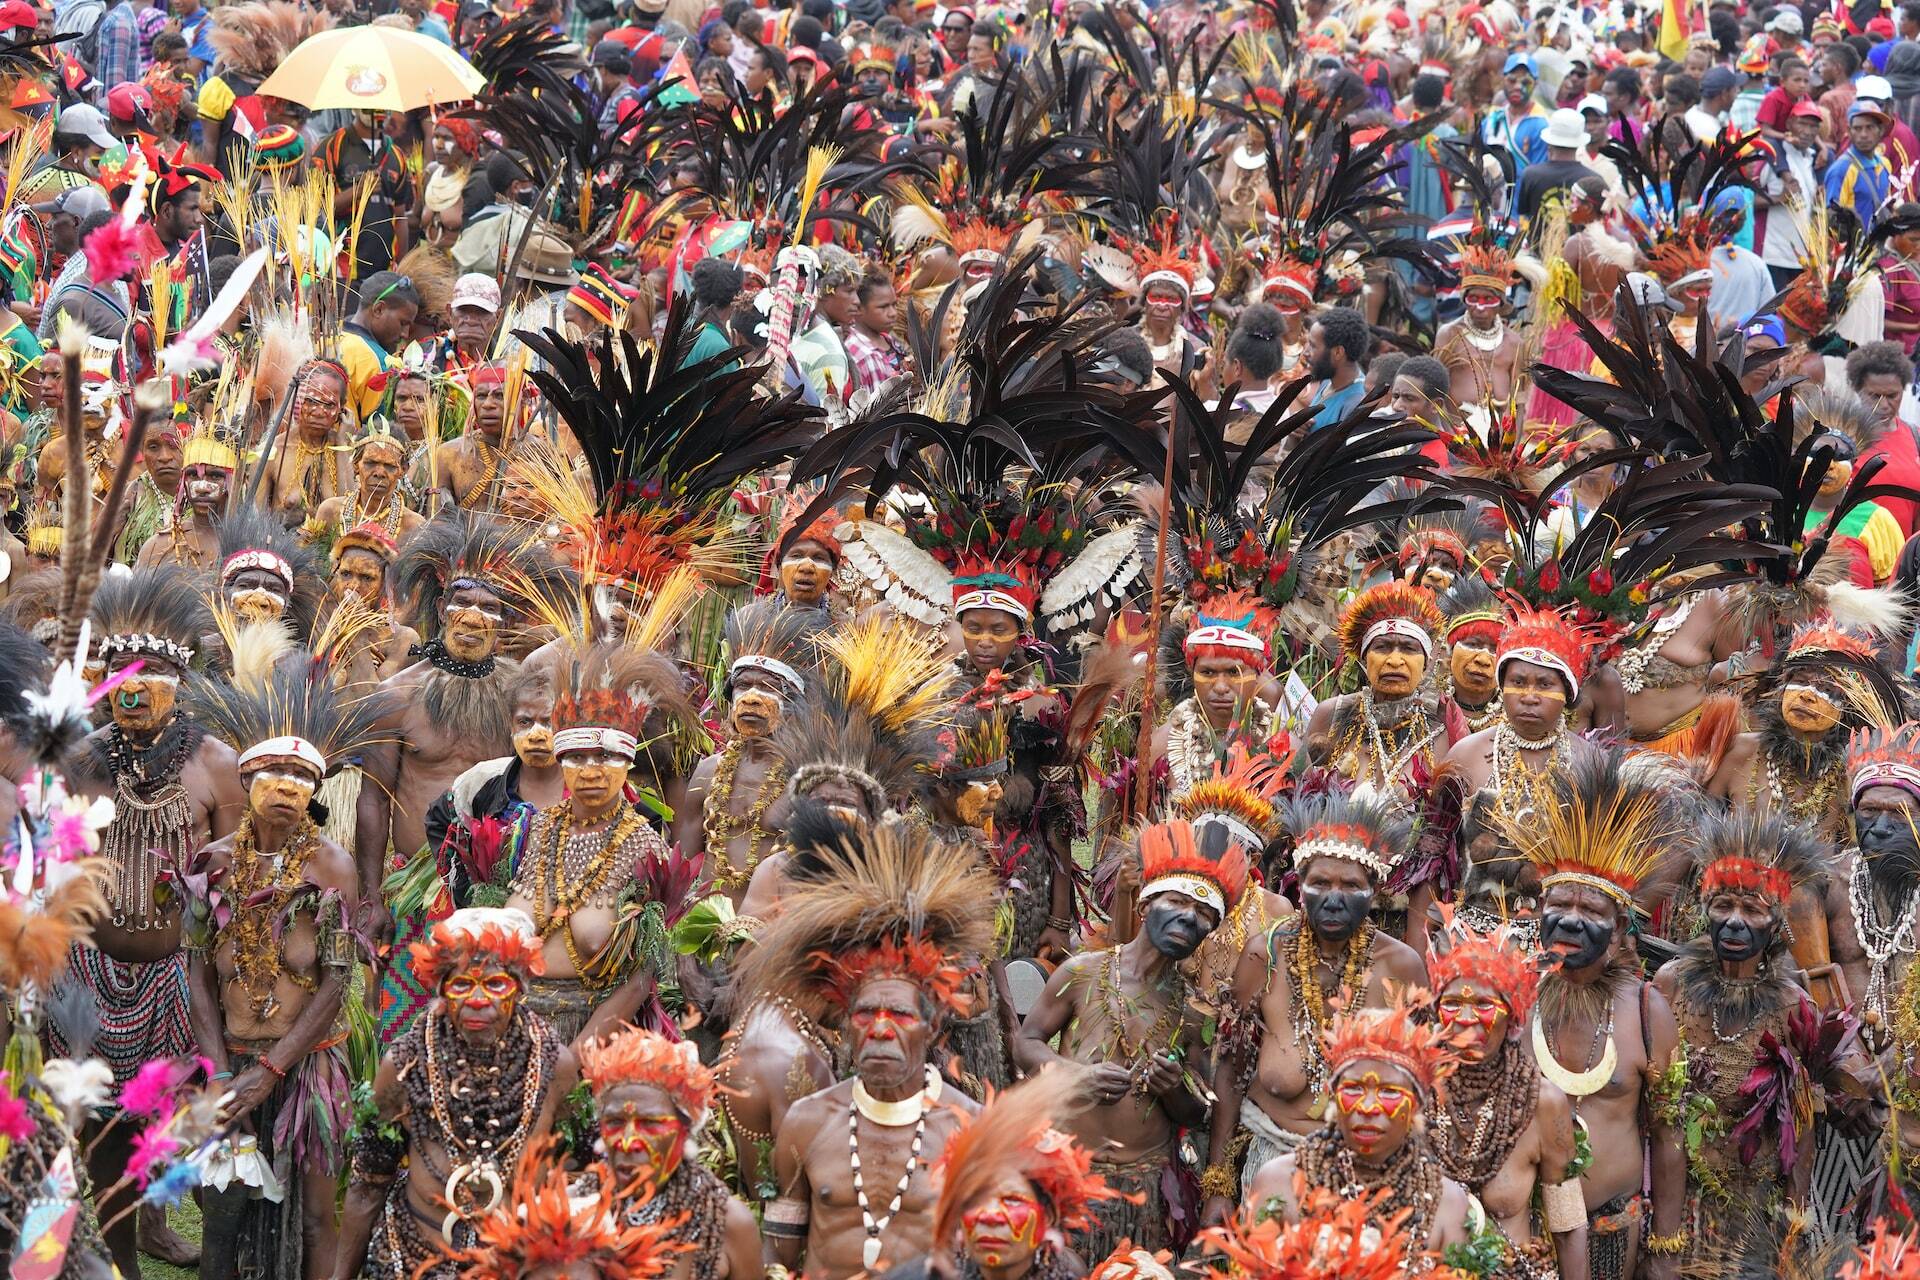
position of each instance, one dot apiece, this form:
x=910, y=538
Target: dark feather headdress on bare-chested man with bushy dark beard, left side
x=460, y=548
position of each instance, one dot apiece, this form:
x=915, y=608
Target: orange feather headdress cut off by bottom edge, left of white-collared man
x=540, y=1229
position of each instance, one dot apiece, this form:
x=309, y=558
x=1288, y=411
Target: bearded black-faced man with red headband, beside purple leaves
x=1729, y=989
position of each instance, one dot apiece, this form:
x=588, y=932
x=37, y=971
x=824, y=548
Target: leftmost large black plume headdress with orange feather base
x=665, y=439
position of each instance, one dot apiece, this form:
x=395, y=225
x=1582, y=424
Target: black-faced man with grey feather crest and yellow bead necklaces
x=1332, y=951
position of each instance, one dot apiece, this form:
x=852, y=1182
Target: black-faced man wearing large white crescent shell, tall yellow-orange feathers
x=1602, y=1033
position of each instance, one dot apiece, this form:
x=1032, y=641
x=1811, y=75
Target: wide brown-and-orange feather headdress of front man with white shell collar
x=886, y=907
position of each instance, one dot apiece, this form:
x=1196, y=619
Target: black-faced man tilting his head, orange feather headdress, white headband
x=1126, y=1014
